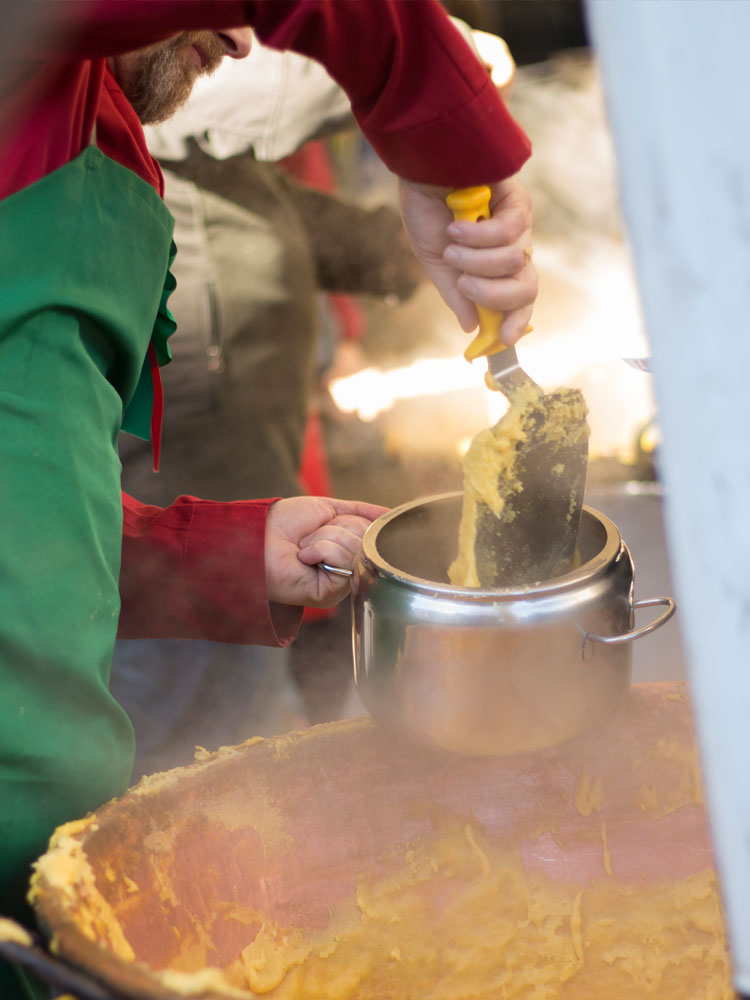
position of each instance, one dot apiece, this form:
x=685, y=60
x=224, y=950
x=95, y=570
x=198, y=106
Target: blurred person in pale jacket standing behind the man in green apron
x=255, y=337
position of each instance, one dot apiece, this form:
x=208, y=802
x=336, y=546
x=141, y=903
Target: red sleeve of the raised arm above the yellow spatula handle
x=422, y=98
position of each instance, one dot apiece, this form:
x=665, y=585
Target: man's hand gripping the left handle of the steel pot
x=304, y=531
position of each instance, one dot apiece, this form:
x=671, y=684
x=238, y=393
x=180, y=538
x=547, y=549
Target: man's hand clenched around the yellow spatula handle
x=486, y=262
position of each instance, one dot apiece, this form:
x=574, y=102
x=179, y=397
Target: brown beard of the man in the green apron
x=162, y=79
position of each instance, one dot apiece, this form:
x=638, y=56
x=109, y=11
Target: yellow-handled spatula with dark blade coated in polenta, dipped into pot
x=524, y=478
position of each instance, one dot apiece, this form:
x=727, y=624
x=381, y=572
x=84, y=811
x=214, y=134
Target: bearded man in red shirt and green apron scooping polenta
x=84, y=324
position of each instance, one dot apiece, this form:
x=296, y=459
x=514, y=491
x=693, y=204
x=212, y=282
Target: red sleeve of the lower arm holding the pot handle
x=196, y=570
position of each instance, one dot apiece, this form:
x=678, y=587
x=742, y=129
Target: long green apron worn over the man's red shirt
x=84, y=275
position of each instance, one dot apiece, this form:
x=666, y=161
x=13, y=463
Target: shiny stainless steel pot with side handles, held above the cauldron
x=490, y=671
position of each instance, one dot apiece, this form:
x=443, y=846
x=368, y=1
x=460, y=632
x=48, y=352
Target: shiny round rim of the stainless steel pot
x=573, y=580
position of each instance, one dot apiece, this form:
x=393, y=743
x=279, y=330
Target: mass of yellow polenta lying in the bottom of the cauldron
x=461, y=918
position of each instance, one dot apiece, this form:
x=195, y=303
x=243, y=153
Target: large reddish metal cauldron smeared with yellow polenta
x=156, y=895
